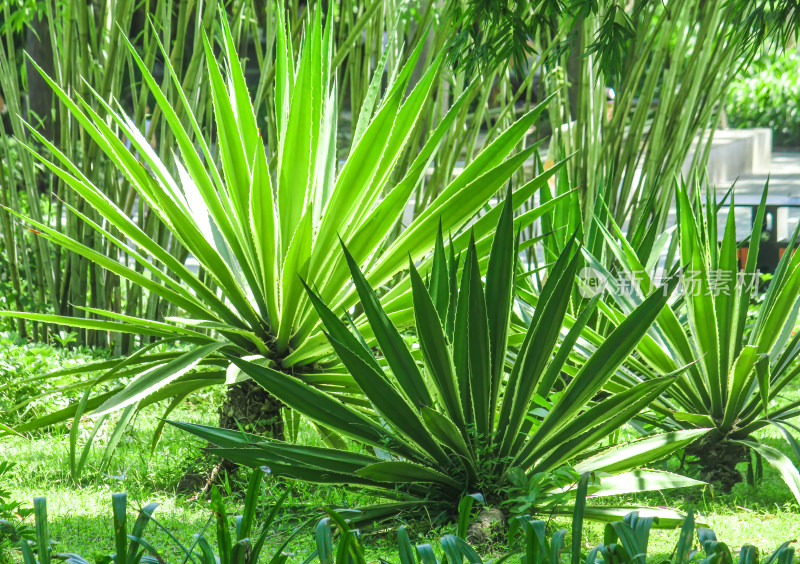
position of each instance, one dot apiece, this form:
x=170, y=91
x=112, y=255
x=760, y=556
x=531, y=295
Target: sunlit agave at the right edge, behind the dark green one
x=745, y=358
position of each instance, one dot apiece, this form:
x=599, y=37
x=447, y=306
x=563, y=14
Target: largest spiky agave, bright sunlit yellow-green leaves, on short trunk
x=257, y=225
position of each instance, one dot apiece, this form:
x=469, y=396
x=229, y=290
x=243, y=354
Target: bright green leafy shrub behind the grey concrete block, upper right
x=768, y=95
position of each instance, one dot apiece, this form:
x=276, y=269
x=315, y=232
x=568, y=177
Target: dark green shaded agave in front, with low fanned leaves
x=469, y=416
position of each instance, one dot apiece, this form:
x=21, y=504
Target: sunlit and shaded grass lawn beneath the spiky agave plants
x=80, y=514
